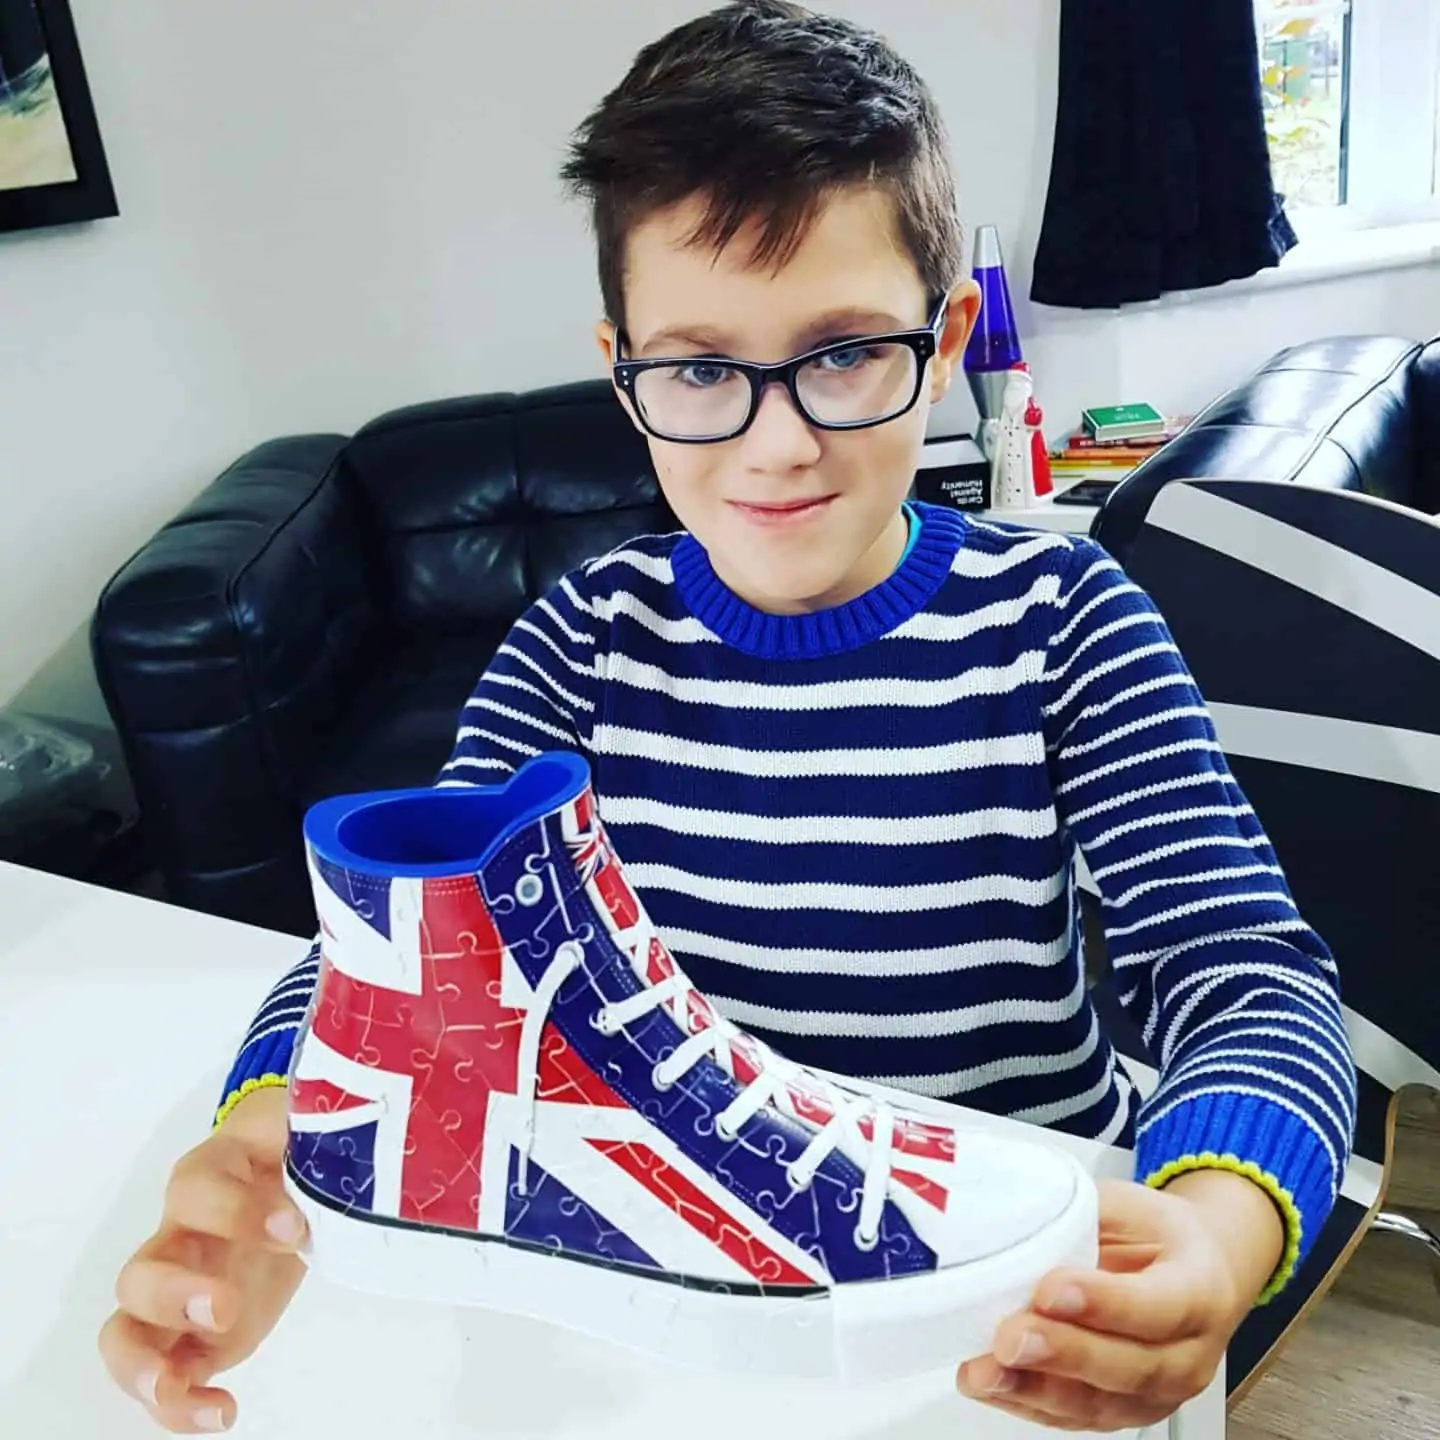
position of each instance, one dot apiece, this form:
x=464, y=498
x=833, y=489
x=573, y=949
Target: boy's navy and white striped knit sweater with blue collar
x=858, y=833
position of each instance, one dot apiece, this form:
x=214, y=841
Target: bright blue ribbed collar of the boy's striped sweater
x=823, y=633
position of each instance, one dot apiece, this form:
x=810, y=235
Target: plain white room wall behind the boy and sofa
x=346, y=205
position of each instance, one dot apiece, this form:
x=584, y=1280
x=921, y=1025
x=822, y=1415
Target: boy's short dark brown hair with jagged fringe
x=765, y=109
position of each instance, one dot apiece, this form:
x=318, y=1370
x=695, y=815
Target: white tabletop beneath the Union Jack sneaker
x=117, y=1023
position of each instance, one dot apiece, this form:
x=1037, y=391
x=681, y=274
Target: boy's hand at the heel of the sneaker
x=212, y=1282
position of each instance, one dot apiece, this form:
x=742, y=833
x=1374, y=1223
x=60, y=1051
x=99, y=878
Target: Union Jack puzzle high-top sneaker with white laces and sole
x=508, y=1094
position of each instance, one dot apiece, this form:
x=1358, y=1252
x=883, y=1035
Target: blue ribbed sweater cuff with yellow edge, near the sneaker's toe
x=1259, y=1140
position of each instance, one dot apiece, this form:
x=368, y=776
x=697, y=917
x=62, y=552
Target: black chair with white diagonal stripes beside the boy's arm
x=1311, y=620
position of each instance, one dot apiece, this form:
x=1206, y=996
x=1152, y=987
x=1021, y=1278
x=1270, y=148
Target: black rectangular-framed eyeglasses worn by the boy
x=850, y=385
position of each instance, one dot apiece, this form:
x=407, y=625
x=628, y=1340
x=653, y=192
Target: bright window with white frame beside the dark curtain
x=1353, y=110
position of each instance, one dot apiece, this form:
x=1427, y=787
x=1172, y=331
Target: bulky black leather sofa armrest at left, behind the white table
x=224, y=649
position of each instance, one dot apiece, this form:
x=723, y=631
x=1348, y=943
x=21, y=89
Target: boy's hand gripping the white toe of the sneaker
x=1128, y=1344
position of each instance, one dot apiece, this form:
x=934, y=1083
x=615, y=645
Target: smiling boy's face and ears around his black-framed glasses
x=794, y=519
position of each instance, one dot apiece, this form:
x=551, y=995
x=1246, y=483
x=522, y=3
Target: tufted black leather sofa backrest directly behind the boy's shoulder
x=477, y=506
